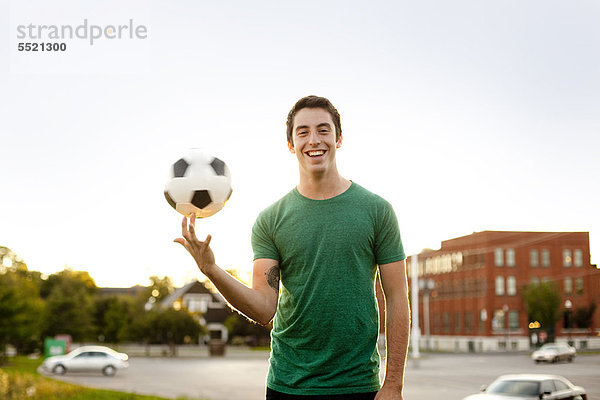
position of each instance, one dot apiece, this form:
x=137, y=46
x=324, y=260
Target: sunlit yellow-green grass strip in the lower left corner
x=19, y=380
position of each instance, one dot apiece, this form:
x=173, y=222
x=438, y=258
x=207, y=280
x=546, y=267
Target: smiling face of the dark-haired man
x=314, y=141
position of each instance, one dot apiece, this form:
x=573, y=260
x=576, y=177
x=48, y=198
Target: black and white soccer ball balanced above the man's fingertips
x=198, y=184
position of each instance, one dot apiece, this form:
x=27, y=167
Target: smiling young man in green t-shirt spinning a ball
x=323, y=242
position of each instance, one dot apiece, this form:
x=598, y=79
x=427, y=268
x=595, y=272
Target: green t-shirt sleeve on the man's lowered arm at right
x=388, y=243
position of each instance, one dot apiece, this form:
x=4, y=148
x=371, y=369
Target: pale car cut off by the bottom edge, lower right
x=530, y=386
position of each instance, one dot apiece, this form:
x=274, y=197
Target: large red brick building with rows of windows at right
x=471, y=288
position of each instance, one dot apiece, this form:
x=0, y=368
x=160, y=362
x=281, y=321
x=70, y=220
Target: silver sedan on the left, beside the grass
x=87, y=358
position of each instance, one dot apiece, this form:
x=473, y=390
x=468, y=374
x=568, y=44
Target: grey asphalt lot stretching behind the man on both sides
x=241, y=375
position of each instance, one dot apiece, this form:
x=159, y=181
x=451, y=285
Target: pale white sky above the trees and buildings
x=465, y=115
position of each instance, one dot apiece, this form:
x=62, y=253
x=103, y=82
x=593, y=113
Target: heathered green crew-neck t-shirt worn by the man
x=325, y=330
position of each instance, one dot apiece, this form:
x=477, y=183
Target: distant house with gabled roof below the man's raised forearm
x=210, y=307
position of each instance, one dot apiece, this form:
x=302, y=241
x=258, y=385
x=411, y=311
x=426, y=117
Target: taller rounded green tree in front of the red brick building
x=543, y=301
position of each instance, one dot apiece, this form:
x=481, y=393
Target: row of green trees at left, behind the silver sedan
x=33, y=307
